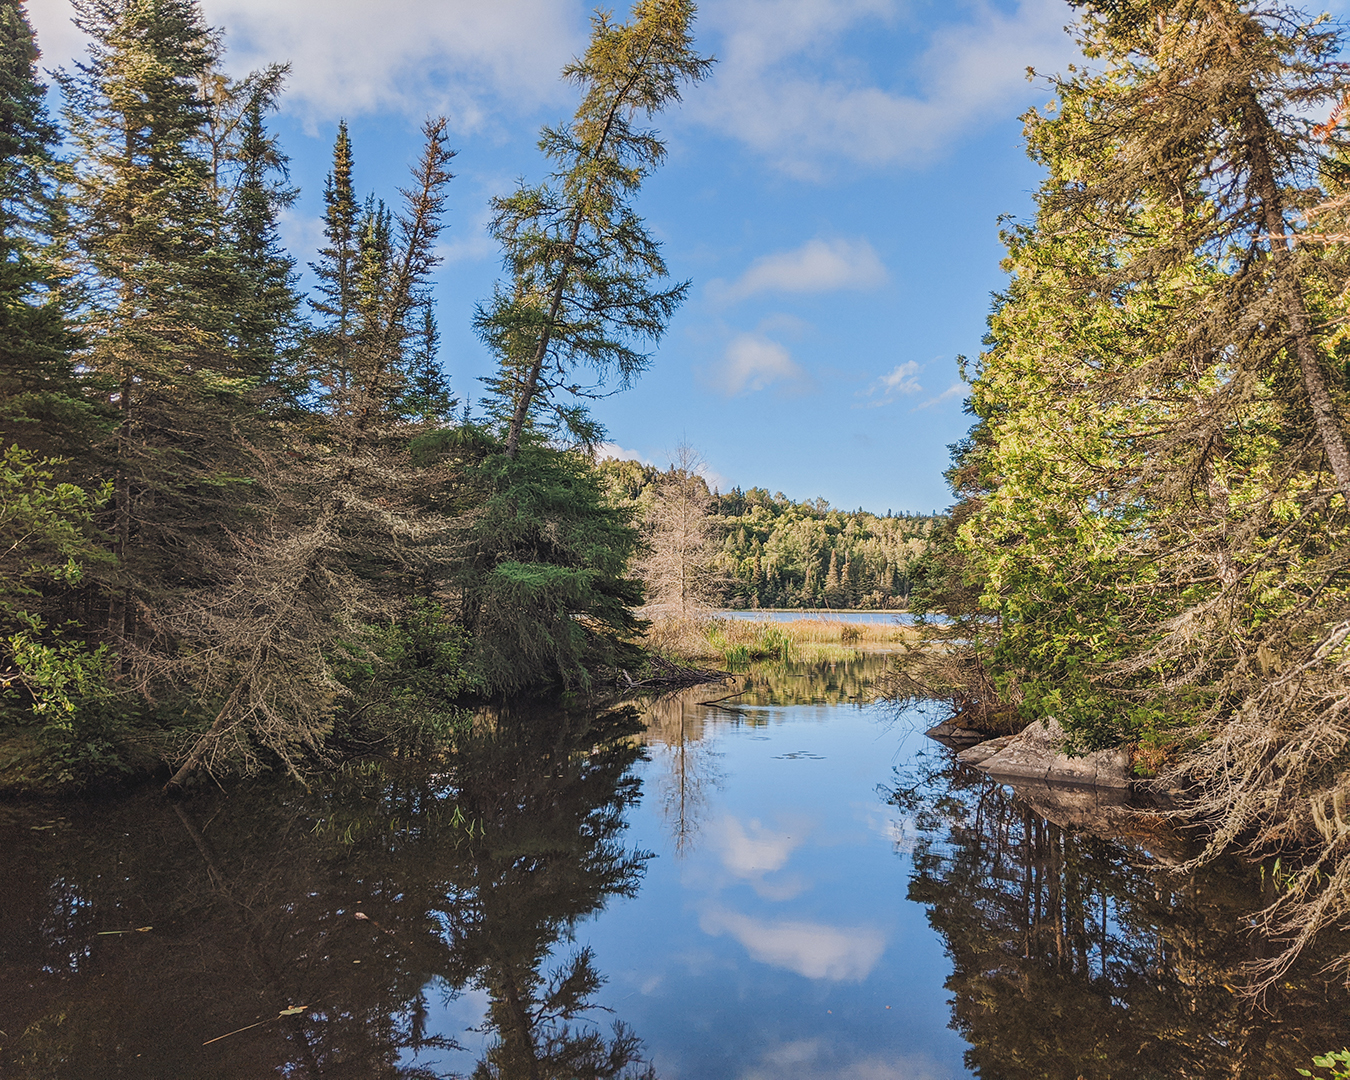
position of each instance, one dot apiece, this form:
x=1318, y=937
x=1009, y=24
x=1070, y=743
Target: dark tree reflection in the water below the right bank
x=1077, y=956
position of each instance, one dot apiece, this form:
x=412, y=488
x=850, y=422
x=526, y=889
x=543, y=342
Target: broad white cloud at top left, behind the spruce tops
x=349, y=57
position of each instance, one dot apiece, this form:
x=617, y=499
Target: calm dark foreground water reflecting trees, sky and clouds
x=793, y=884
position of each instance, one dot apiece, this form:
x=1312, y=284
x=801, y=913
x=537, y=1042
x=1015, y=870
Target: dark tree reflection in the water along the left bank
x=310, y=934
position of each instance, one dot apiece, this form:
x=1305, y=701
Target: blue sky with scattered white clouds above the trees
x=832, y=194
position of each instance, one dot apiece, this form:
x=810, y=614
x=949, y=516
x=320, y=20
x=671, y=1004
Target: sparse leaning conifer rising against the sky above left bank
x=583, y=265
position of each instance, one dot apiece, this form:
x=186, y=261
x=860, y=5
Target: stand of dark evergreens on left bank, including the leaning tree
x=248, y=529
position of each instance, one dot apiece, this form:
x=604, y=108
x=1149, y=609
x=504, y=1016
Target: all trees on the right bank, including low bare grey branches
x=1151, y=533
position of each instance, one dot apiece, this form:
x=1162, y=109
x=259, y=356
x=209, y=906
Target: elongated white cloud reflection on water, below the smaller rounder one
x=812, y=950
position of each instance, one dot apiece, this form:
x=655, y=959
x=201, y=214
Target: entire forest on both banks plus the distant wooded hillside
x=246, y=529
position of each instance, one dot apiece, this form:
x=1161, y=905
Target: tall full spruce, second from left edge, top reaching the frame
x=161, y=291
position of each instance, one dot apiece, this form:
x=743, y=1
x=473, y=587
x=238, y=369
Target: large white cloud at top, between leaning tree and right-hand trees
x=785, y=92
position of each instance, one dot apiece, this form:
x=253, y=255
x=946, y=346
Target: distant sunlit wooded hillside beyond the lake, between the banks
x=770, y=551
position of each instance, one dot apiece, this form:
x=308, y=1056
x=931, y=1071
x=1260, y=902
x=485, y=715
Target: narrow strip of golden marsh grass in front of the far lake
x=738, y=642
